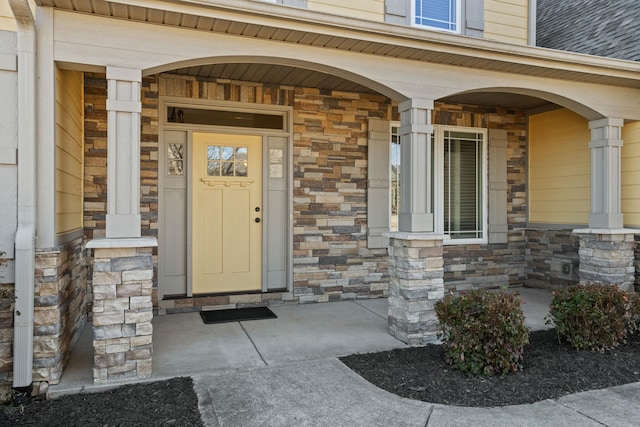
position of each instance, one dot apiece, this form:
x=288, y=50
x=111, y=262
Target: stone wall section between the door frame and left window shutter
x=331, y=259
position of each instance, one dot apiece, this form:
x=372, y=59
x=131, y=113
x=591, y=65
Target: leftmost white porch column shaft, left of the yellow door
x=123, y=152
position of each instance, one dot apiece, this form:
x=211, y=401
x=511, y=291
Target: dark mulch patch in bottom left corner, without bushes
x=161, y=403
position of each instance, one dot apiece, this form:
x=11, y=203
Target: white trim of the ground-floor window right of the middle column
x=439, y=183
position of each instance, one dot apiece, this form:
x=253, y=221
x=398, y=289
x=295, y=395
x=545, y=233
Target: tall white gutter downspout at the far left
x=25, y=235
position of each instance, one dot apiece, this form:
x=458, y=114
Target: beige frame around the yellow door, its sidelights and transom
x=189, y=129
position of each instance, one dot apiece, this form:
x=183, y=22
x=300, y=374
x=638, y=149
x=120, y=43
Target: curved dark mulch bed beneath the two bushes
x=551, y=370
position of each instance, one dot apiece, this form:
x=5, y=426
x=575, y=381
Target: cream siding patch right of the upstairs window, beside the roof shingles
x=506, y=20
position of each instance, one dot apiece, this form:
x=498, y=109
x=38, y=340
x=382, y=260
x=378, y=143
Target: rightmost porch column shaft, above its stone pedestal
x=605, y=145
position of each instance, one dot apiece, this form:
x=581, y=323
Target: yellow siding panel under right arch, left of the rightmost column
x=559, y=168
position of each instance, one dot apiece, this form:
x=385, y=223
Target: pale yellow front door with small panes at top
x=226, y=213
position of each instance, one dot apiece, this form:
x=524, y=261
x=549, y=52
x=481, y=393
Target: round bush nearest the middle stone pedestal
x=483, y=332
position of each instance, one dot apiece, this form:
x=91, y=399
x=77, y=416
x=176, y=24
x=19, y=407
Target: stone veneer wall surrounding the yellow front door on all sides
x=331, y=259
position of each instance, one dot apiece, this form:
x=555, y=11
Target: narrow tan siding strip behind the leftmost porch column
x=69, y=150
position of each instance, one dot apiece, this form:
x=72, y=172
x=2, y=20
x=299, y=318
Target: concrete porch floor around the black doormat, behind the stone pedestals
x=184, y=346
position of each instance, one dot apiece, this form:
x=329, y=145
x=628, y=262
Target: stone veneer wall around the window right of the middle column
x=491, y=265
